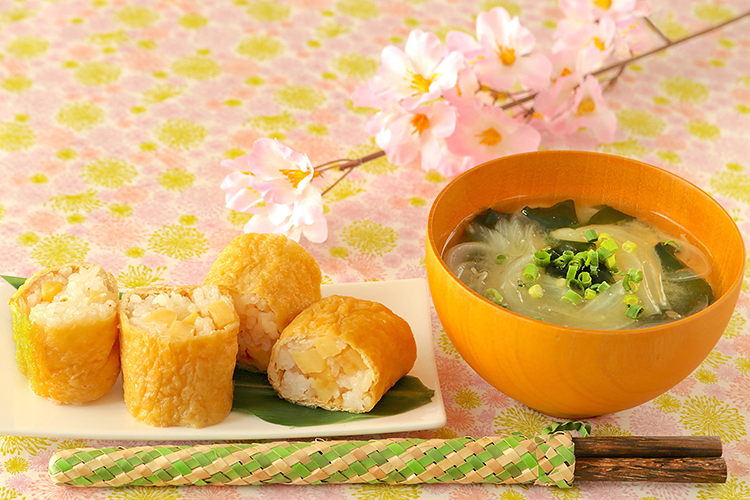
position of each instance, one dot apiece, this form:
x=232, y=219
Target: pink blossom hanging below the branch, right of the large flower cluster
x=587, y=109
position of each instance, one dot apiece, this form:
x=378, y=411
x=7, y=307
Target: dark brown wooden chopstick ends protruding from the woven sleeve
x=685, y=459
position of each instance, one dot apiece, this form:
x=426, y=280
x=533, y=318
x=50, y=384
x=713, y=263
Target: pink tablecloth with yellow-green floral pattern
x=115, y=116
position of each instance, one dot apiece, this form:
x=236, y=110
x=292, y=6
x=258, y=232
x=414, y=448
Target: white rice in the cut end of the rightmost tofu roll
x=297, y=386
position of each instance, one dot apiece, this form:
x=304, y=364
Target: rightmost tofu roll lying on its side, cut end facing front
x=342, y=353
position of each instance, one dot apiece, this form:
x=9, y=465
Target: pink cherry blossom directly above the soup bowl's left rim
x=484, y=133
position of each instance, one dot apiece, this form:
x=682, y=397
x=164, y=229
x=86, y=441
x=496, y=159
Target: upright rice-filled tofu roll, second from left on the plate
x=179, y=350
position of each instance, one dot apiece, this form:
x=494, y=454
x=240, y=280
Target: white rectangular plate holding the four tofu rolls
x=23, y=413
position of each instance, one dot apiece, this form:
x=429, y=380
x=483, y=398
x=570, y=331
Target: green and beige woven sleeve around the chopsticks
x=546, y=459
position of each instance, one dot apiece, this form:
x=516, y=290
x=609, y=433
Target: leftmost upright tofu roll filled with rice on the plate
x=65, y=331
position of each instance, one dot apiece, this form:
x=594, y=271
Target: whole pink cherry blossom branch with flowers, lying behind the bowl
x=448, y=132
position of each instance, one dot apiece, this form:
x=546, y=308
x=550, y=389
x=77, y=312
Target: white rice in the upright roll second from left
x=138, y=309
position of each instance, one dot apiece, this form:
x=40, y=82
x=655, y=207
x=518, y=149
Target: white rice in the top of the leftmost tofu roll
x=84, y=298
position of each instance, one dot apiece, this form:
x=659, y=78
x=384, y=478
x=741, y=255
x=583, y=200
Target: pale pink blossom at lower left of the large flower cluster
x=417, y=133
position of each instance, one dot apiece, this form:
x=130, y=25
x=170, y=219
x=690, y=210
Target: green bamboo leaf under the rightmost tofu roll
x=253, y=394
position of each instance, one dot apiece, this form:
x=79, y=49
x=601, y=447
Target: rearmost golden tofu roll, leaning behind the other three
x=271, y=279
